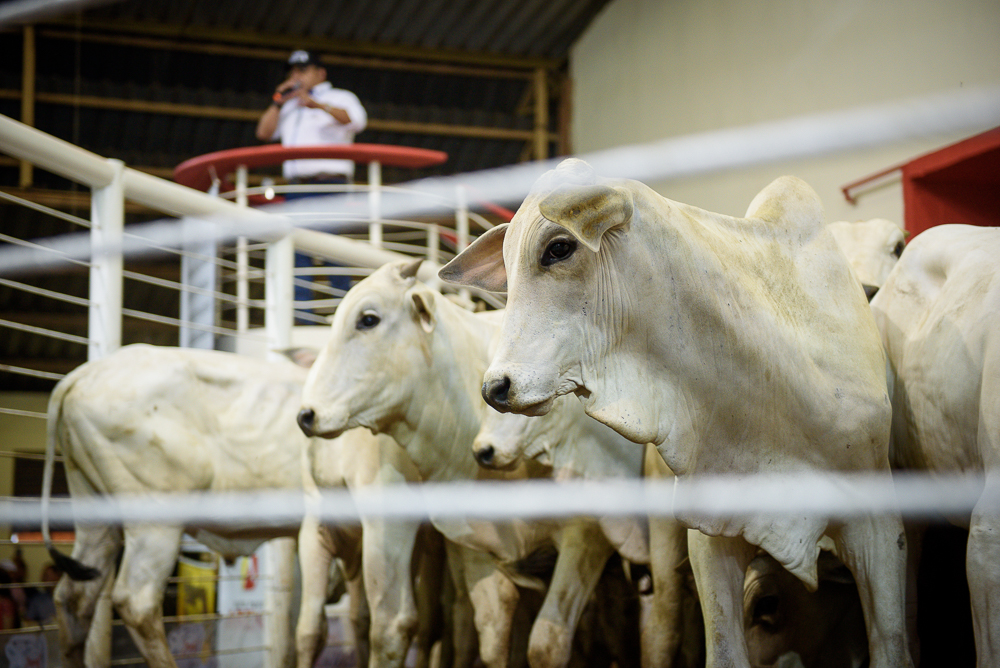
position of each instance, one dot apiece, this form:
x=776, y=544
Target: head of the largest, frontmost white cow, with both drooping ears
x=549, y=258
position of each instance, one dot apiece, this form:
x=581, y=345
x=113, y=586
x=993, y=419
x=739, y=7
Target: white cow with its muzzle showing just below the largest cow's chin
x=578, y=447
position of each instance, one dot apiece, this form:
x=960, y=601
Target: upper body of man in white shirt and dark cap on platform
x=308, y=111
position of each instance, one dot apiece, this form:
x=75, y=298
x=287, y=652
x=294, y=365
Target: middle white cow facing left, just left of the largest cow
x=406, y=361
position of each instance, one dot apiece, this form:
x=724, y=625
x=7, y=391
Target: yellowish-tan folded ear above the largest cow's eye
x=588, y=211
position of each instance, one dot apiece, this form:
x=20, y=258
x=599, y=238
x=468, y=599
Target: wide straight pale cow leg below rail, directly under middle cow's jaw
x=388, y=558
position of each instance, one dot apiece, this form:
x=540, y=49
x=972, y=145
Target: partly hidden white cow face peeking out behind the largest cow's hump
x=872, y=247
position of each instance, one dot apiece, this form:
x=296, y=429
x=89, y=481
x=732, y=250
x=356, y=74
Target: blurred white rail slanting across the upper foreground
x=965, y=110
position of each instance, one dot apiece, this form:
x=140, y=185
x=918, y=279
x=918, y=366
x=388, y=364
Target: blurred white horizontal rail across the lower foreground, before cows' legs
x=801, y=494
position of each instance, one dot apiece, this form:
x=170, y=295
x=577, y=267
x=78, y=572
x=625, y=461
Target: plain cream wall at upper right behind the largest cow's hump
x=650, y=69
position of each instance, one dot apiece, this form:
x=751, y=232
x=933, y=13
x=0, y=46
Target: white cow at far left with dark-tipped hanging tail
x=156, y=419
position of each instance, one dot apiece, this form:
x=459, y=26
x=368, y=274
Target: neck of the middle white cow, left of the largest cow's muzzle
x=442, y=421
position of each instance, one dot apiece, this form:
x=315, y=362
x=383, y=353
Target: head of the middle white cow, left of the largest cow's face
x=377, y=354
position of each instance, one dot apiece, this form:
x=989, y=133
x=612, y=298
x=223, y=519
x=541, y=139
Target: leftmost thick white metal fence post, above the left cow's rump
x=107, y=217
